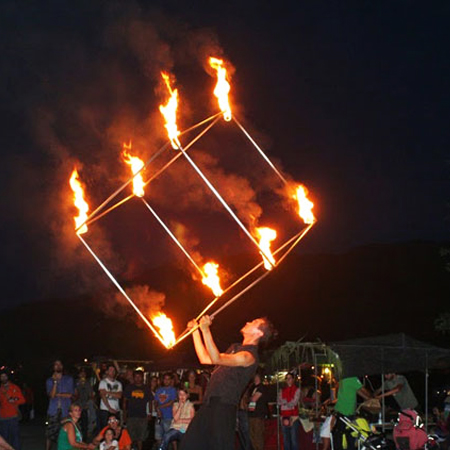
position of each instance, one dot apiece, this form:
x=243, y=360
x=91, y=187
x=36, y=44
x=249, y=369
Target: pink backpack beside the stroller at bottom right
x=408, y=432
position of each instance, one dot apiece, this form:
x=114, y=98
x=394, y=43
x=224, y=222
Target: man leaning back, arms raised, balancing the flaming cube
x=214, y=424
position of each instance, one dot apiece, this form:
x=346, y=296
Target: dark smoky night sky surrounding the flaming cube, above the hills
x=352, y=98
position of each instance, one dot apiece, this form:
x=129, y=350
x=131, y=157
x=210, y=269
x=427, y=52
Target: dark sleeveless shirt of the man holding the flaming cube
x=228, y=383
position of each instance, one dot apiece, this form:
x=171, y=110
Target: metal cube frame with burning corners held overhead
x=105, y=207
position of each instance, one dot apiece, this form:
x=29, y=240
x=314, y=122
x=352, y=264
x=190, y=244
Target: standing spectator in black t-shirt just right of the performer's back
x=257, y=412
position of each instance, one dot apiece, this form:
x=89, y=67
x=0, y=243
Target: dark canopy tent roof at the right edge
x=389, y=353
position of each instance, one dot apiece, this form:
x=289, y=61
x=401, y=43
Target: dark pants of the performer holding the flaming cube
x=212, y=428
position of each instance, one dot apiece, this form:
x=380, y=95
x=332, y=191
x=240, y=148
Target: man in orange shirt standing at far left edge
x=10, y=399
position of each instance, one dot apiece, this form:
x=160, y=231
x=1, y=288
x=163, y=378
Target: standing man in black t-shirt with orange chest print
x=136, y=397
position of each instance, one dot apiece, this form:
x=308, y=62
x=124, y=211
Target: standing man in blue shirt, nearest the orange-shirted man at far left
x=60, y=389
